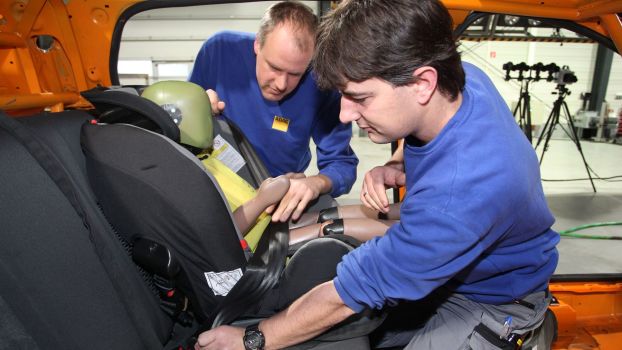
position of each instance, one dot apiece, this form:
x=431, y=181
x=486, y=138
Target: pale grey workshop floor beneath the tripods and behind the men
x=572, y=202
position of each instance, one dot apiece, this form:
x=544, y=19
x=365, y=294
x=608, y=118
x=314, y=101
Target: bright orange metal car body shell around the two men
x=80, y=34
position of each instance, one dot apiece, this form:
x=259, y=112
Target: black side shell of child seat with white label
x=151, y=187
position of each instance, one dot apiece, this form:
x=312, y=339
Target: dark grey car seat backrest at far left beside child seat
x=67, y=282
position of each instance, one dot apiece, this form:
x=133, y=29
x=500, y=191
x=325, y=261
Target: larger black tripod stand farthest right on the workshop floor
x=553, y=120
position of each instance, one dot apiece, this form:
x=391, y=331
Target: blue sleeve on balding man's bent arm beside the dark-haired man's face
x=335, y=157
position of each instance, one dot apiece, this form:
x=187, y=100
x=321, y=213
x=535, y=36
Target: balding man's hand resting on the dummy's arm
x=301, y=191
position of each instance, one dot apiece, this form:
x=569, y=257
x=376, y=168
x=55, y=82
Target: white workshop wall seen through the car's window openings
x=173, y=37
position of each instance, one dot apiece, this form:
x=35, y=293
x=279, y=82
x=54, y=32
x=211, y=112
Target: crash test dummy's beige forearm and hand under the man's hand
x=270, y=192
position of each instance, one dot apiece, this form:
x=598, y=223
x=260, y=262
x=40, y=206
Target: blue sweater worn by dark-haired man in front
x=474, y=217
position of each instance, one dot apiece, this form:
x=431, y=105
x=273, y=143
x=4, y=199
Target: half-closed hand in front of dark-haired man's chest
x=375, y=184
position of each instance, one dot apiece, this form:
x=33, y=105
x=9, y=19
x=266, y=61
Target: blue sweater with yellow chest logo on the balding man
x=226, y=63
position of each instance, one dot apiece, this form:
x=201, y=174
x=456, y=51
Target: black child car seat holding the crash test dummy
x=152, y=188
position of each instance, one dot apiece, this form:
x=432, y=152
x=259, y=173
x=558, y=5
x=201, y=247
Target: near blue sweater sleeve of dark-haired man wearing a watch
x=403, y=265
